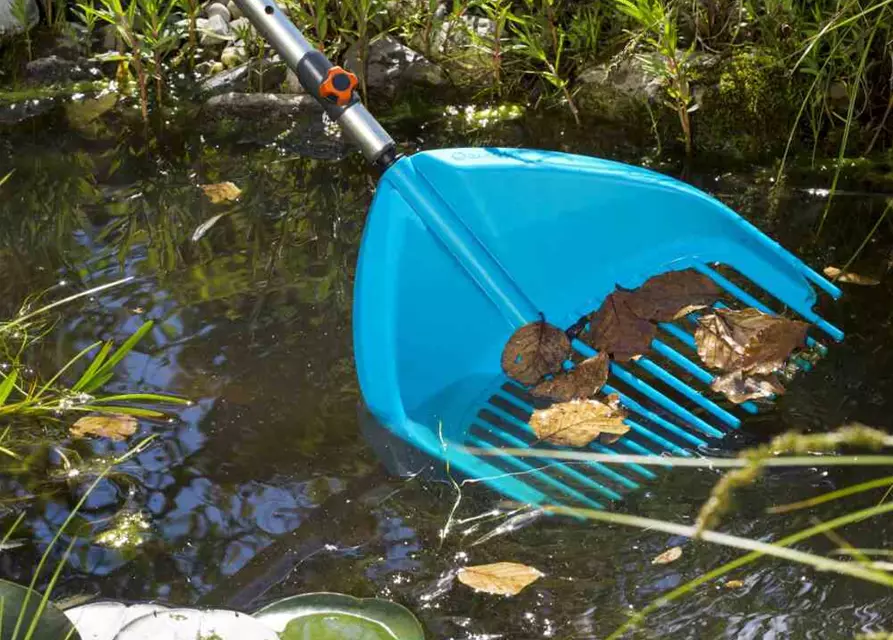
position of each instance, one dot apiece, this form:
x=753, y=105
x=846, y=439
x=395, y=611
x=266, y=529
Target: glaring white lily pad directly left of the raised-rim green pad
x=196, y=624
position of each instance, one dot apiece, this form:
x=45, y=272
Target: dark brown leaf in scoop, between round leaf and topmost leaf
x=616, y=329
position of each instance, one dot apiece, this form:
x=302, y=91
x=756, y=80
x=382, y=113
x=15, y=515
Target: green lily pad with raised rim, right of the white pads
x=335, y=616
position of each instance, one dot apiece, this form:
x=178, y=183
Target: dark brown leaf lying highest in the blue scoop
x=672, y=295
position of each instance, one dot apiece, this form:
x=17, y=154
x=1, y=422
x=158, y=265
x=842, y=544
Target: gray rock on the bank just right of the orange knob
x=390, y=64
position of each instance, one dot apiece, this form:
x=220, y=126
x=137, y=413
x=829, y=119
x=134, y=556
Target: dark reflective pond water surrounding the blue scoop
x=266, y=486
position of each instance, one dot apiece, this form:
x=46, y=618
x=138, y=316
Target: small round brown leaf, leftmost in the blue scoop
x=535, y=350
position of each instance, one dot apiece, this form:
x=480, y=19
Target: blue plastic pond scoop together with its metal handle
x=462, y=247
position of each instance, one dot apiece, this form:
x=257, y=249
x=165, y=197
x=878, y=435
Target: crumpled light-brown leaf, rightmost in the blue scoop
x=747, y=340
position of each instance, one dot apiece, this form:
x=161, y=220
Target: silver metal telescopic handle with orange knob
x=313, y=69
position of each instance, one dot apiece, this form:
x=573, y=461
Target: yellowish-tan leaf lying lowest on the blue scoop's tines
x=578, y=422
